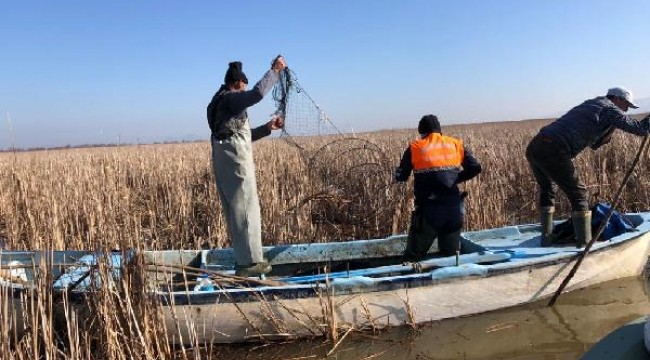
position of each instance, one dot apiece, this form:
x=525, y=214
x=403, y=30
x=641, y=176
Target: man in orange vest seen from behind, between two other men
x=439, y=163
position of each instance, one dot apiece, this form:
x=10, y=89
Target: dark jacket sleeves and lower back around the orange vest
x=441, y=185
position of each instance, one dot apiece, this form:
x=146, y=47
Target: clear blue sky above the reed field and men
x=75, y=72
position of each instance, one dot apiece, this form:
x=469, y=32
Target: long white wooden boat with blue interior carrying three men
x=325, y=288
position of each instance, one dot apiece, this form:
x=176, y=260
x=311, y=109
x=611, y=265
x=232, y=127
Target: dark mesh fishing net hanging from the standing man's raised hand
x=350, y=177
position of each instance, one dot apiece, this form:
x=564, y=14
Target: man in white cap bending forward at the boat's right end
x=551, y=151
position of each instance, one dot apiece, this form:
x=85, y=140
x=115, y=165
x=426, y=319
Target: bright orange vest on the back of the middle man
x=436, y=152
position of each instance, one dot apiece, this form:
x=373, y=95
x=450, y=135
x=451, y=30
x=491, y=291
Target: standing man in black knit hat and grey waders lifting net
x=232, y=161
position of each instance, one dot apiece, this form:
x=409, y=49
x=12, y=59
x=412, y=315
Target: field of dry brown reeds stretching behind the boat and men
x=164, y=197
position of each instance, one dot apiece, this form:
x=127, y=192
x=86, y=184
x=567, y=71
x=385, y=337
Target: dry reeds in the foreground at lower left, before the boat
x=118, y=320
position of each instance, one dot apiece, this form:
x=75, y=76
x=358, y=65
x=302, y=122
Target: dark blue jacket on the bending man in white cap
x=591, y=124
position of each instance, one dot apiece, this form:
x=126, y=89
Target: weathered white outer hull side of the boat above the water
x=449, y=298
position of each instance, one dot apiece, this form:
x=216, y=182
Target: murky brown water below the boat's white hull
x=535, y=331
